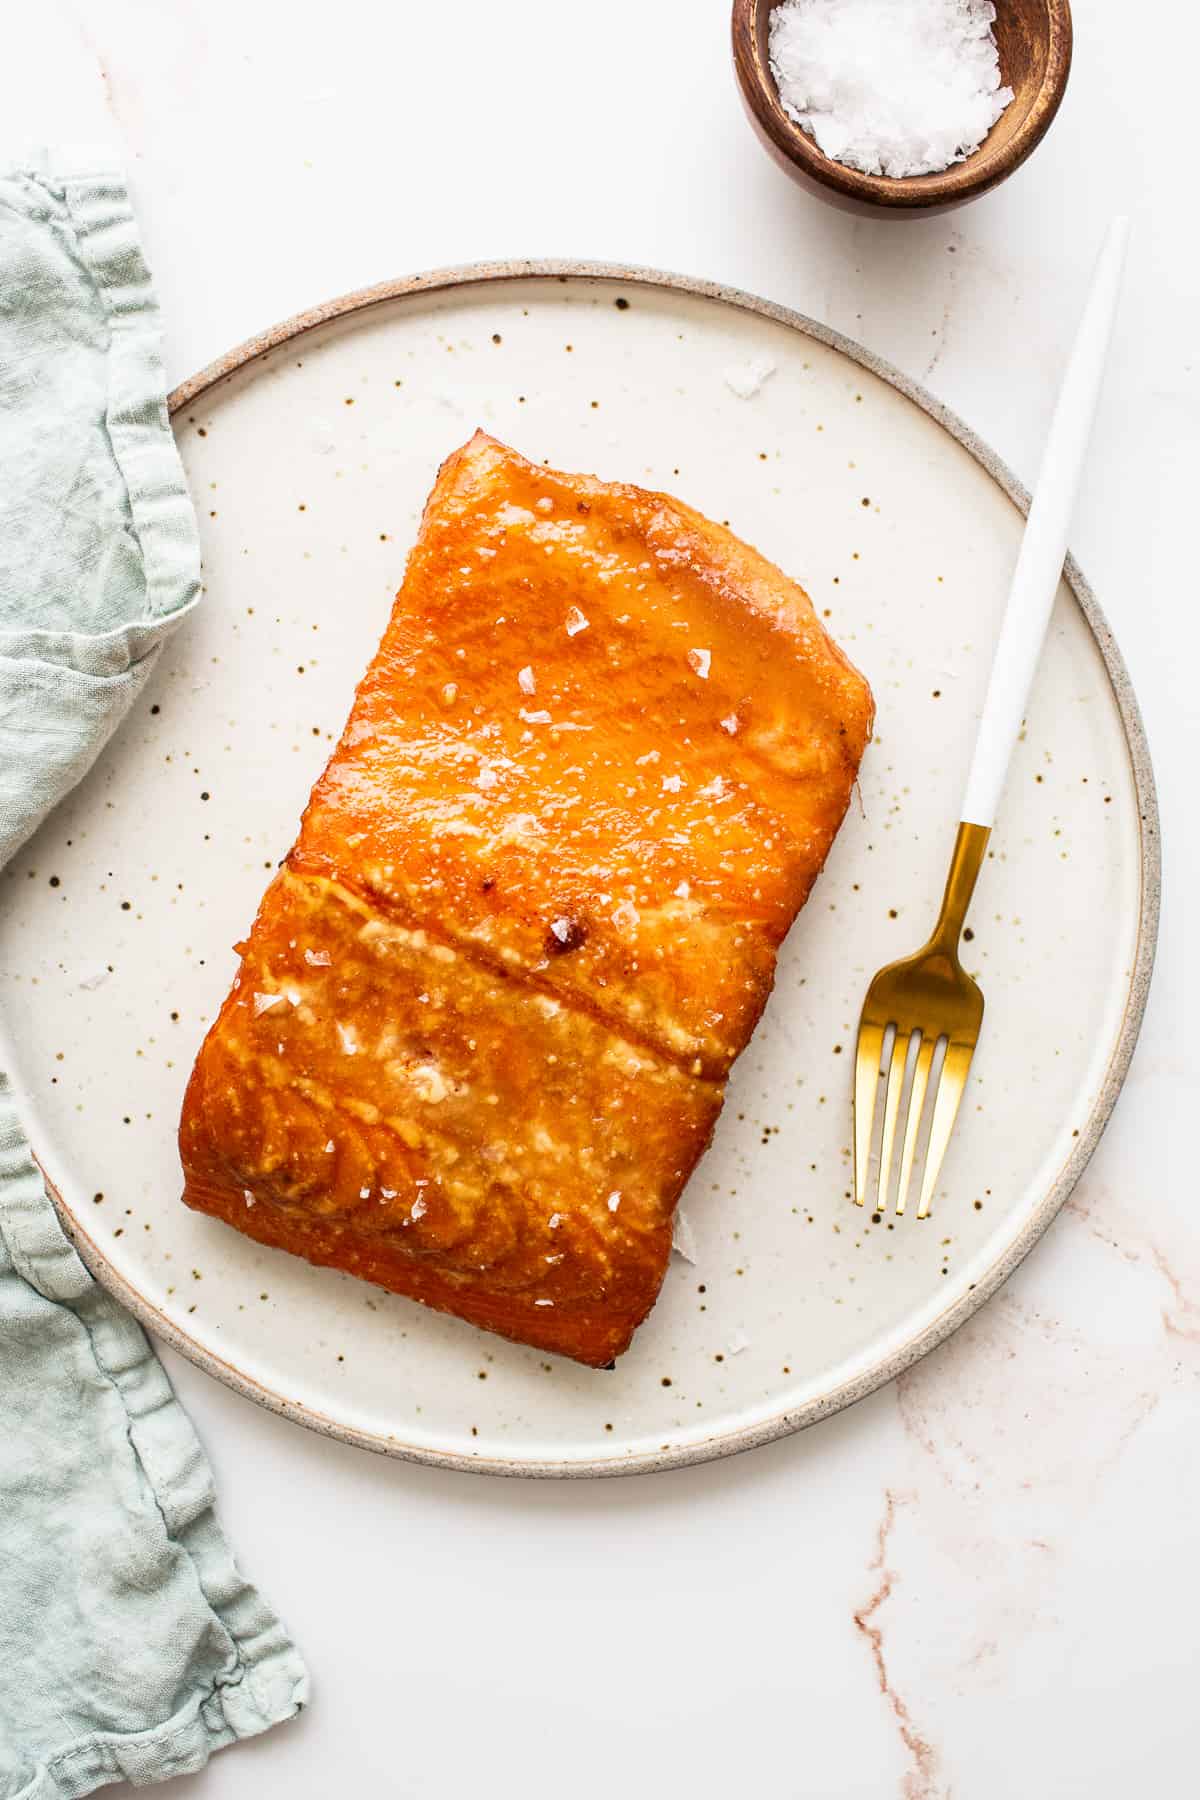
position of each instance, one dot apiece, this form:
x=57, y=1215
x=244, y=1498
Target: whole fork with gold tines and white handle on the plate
x=922, y=1018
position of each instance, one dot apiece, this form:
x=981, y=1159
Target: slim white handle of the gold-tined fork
x=1044, y=544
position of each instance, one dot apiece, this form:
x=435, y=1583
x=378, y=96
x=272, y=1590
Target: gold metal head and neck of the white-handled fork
x=931, y=1002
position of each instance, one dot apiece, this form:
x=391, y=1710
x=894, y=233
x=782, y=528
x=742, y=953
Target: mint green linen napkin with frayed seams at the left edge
x=130, y=1646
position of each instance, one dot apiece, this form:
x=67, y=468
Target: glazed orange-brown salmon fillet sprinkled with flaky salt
x=483, y=1020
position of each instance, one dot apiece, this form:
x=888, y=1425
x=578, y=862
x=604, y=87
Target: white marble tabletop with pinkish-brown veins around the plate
x=983, y=1581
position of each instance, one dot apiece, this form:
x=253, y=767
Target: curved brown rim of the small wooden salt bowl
x=962, y=181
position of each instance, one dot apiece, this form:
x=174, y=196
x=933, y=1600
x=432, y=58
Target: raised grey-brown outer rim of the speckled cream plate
x=1151, y=885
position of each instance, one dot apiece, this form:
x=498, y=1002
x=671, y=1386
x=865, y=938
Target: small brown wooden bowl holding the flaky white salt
x=1034, y=40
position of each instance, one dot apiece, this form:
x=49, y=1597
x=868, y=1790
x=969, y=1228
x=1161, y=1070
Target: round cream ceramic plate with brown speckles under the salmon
x=310, y=454
